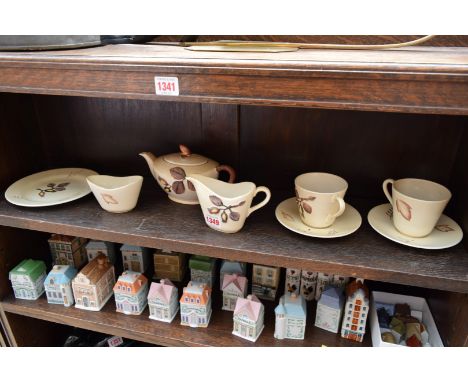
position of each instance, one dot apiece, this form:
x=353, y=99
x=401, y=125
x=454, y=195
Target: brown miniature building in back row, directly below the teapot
x=169, y=265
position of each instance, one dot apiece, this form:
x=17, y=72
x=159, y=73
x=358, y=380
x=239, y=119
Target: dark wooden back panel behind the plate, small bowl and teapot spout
x=106, y=135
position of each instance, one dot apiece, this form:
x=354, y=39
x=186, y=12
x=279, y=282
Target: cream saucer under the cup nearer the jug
x=287, y=214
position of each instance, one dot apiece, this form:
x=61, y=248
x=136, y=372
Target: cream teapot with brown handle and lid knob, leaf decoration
x=170, y=171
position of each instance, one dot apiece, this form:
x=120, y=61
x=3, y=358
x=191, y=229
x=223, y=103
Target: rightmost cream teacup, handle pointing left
x=417, y=204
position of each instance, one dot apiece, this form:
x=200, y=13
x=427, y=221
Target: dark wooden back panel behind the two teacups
x=277, y=144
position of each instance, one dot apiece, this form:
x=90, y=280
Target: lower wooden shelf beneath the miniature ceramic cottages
x=141, y=328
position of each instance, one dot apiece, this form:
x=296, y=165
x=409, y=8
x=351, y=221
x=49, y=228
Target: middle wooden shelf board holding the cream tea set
x=159, y=223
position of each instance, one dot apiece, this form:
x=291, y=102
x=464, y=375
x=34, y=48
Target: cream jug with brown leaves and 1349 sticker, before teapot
x=225, y=206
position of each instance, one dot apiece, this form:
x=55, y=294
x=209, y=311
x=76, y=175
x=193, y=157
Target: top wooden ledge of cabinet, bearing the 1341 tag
x=414, y=80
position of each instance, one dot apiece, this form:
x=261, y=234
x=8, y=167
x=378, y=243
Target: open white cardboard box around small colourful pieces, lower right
x=417, y=304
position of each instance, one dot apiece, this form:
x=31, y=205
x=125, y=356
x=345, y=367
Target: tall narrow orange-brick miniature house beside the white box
x=355, y=311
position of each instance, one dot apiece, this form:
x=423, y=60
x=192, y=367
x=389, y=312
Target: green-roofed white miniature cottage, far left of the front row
x=27, y=279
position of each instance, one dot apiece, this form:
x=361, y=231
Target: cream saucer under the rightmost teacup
x=446, y=233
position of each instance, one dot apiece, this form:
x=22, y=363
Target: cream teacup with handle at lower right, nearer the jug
x=319, y=198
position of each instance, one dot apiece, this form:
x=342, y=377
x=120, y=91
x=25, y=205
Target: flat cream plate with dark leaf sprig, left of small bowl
x=49, y=188
